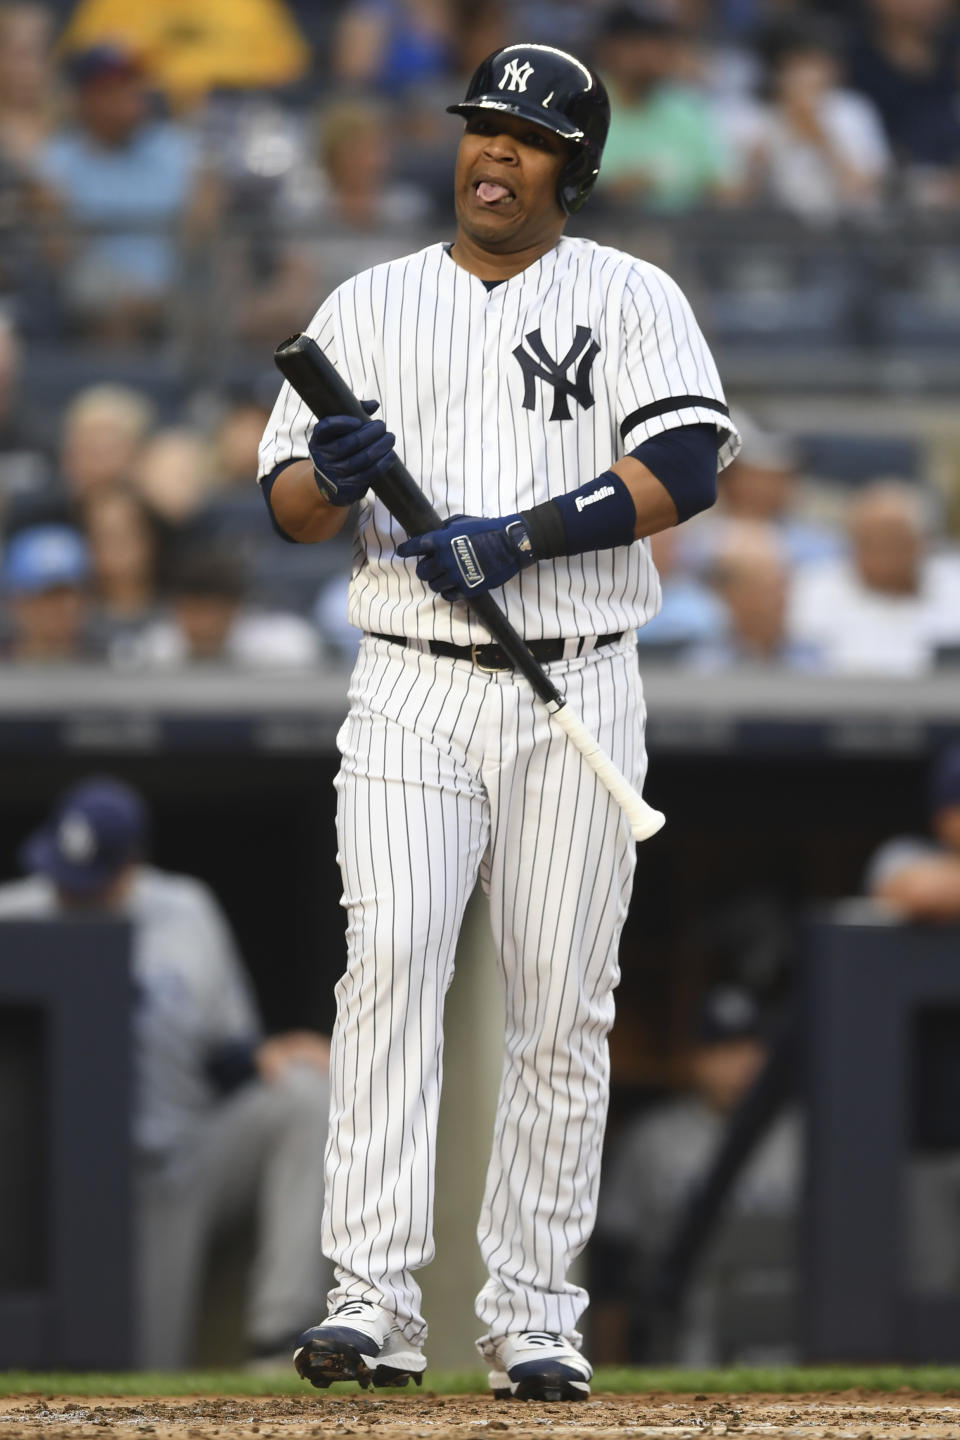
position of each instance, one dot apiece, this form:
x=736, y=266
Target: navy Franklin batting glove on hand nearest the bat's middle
x=471, y=554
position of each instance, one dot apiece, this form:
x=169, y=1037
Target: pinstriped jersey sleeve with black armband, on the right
x=667, y=377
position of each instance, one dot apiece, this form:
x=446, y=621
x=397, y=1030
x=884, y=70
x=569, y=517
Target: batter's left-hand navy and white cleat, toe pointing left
x=358, y=1341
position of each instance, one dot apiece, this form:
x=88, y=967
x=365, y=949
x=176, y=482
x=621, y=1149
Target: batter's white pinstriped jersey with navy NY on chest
x=503, y=398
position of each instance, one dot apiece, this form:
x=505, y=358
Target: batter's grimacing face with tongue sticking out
x=506, y=186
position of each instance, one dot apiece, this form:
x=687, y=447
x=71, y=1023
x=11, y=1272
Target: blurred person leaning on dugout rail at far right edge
x=920, y=879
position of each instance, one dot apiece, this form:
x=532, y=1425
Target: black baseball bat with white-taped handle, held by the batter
x=310, y=374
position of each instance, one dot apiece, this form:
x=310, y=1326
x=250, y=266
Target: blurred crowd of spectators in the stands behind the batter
x=178, y=198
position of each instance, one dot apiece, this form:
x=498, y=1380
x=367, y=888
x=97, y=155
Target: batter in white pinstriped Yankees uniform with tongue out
x=558, y=400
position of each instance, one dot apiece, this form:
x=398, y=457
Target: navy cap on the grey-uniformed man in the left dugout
x=97, y=829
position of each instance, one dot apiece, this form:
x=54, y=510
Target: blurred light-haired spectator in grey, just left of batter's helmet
x=352, y=199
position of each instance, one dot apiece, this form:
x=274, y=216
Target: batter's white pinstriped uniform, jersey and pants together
x=451, y=774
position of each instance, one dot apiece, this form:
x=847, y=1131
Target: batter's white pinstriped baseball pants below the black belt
x=448, y=773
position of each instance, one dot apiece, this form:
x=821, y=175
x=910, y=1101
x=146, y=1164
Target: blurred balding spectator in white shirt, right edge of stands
x=892, y=606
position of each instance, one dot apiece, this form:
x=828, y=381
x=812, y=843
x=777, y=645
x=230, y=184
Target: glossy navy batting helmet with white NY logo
x=556, y=91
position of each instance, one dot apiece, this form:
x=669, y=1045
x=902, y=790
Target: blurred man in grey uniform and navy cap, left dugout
x=227, y=1124
